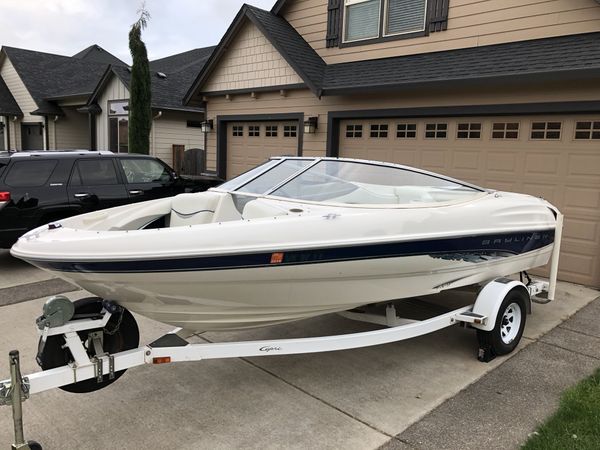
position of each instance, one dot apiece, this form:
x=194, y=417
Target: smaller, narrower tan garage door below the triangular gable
x=252, y=143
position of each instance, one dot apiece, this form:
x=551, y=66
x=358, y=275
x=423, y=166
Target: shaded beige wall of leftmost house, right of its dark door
x=71, y=131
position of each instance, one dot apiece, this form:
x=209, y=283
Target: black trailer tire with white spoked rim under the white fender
x=510, y=323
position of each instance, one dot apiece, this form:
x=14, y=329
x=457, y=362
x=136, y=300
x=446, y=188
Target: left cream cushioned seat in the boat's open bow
x=193, y=209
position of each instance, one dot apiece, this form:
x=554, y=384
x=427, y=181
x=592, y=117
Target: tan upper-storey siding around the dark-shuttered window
x=471, y=23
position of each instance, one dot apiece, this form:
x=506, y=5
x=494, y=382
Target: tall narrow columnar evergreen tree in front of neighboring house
x=140, y=113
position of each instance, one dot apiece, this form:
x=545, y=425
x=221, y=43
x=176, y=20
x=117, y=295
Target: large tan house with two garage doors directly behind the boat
x=504, y=95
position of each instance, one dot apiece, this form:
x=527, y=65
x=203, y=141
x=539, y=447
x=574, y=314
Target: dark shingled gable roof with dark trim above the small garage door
x=282, y=36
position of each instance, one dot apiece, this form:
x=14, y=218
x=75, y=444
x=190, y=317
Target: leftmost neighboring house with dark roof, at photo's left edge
x=40, y=94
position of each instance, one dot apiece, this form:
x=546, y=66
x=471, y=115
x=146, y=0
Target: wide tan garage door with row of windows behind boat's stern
x=555, y=157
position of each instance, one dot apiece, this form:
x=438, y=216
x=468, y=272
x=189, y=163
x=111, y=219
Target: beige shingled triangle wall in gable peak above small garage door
x=251, y=61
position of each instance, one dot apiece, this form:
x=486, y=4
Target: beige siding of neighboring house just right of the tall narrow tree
x=171, y=129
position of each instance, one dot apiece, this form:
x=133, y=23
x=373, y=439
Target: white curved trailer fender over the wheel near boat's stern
x=490, y=298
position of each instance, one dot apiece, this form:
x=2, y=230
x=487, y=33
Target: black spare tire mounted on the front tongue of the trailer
x=121, y=333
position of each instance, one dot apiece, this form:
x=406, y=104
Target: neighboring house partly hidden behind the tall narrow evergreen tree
x=173, y=123
